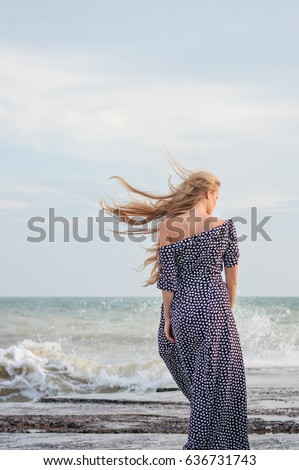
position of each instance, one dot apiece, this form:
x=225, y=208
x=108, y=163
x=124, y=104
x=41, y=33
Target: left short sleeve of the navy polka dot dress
x=167, y=269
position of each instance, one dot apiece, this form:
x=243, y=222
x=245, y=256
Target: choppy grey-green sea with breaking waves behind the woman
x=102, y=345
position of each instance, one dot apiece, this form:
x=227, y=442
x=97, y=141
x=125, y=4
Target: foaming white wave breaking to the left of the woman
x=31, y=370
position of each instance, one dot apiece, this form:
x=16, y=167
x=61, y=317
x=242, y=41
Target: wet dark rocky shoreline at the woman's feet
x=159, y=420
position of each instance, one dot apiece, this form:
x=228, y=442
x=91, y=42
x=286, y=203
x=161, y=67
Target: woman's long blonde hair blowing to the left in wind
x=178, y=201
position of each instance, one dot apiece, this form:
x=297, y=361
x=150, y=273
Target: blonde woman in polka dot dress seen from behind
x=197, y=336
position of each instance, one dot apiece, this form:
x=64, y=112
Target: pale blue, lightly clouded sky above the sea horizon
x=91, y=89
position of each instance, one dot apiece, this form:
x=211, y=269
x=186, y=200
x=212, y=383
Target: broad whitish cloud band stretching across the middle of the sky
x=68, y=105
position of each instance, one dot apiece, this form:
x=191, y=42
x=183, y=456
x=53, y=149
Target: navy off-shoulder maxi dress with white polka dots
x=206, y=359
